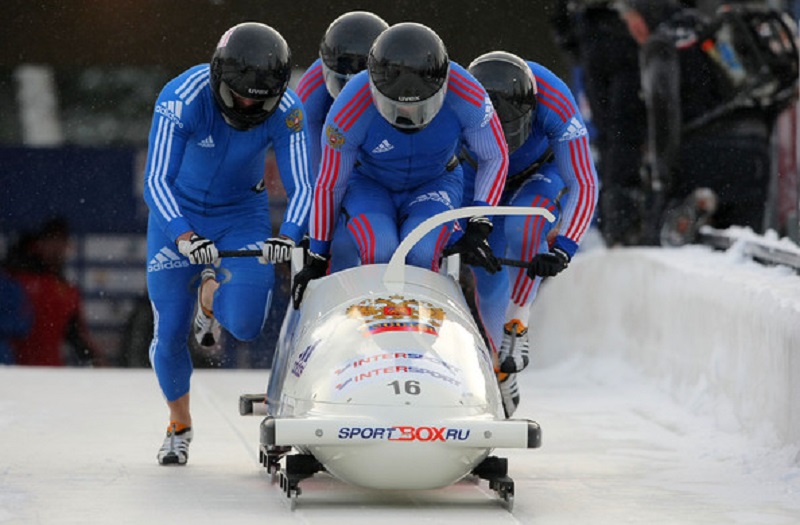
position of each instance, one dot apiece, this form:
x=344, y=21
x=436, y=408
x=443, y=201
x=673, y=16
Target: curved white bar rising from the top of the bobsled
x=396, y=269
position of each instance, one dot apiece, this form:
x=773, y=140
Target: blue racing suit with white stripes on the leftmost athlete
x=203, y=175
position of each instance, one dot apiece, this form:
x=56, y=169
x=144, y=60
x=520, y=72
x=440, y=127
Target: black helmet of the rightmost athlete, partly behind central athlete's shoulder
x=512, y=89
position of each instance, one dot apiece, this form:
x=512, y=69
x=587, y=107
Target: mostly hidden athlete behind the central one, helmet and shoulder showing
x=343, y=53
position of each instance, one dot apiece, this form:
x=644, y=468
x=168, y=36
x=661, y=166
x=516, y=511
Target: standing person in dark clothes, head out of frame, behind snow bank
x=592, y=32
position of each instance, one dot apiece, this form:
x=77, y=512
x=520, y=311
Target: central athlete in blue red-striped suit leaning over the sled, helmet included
x=388, y=158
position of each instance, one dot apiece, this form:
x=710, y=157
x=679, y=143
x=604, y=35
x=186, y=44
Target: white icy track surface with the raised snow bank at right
x=665, y=382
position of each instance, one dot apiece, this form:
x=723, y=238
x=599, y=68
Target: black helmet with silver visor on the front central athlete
x=408, y=68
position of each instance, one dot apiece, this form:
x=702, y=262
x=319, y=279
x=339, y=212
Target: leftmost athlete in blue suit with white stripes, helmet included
x=204, y=187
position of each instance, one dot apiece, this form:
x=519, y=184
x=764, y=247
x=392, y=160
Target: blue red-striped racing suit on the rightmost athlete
x=553, y=169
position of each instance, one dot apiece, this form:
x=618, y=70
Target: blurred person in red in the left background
x=37, y=262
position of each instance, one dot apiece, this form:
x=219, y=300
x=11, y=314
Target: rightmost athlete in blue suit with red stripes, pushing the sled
x=550, y=166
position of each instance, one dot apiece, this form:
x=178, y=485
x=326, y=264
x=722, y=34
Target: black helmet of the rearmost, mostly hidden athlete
x=345, y=46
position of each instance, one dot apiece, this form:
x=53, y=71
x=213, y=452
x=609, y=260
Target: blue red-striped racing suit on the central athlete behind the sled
x=388, y=181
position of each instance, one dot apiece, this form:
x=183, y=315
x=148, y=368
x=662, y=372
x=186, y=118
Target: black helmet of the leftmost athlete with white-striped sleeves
x=252, y=61
